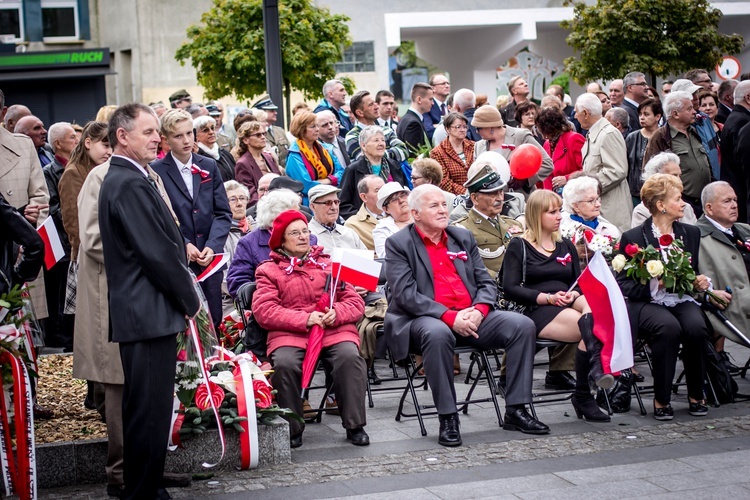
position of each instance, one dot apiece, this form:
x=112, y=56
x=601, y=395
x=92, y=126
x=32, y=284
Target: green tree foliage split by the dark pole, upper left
x=227, y=49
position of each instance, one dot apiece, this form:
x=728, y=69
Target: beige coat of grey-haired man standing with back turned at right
x=605, y=157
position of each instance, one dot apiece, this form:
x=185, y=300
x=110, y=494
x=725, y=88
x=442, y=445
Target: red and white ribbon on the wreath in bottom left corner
x=19, y=471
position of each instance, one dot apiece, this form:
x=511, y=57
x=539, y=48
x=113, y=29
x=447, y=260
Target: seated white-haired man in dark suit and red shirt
x=445, y=298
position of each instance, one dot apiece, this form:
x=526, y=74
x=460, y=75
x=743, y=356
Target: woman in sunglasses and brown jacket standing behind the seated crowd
x=254, y=162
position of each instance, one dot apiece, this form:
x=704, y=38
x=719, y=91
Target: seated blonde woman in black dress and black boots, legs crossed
x=551, y=268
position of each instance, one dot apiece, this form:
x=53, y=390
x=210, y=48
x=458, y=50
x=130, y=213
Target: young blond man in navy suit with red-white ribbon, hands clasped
x=195, y=188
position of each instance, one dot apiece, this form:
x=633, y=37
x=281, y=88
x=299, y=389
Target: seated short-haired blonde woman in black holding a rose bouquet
x=663, y=319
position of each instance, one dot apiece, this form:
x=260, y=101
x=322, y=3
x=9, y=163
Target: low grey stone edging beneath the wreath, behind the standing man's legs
x=82, y=462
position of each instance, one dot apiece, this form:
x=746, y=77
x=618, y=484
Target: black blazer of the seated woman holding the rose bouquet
x=639, y=295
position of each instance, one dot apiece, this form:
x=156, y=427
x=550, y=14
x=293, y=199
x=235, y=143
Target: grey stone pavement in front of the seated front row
x=401, y=463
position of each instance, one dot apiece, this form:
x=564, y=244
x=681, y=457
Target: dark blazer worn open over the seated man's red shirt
x=409, y=273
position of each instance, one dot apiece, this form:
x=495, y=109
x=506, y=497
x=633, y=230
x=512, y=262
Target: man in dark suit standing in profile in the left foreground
x=151, y=294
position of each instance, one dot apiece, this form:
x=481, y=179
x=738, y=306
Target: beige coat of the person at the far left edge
x=22, y=183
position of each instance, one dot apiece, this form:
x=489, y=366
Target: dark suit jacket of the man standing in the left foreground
x=150, y=288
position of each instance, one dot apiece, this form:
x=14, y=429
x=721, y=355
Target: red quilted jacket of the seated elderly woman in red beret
x=282, y=303
